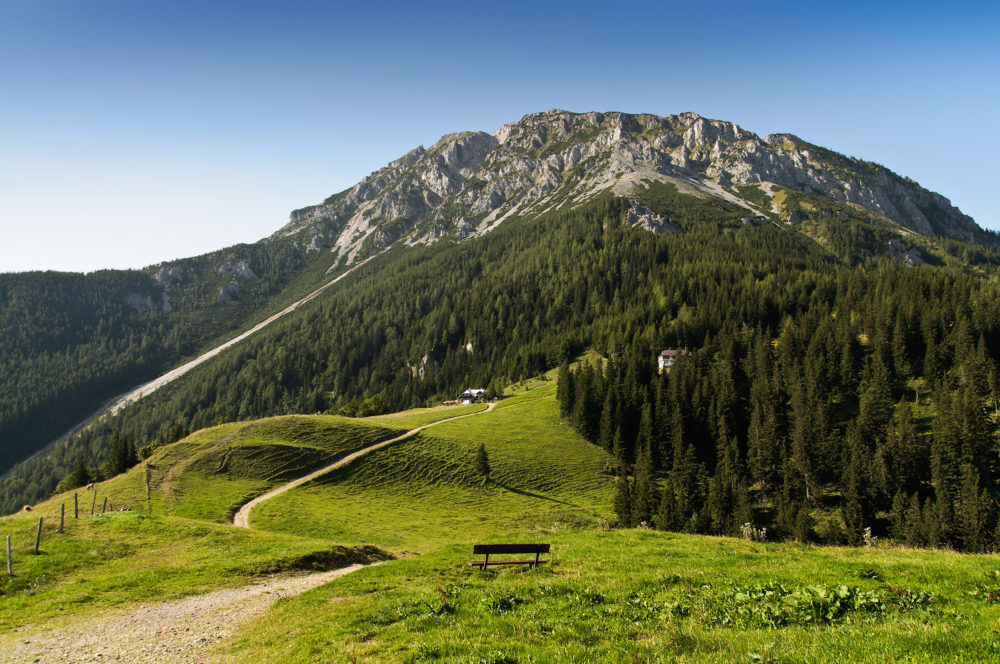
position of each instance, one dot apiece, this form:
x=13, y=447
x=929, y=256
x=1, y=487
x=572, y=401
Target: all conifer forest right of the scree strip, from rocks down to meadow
x=829, y=387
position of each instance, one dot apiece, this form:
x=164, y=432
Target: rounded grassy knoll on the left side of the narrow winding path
x=209, y=474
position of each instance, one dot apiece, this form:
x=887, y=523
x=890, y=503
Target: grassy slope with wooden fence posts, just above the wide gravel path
x=117, y=559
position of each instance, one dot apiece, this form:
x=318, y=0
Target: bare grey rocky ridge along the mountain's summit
x=468, y=182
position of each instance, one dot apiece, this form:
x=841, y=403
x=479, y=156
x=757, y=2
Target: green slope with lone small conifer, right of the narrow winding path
x=422, y=493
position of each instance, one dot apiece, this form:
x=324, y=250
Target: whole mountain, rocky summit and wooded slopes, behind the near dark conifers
x=494, y=257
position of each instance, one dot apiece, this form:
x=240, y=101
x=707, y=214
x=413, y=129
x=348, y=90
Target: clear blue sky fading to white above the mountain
x=133, y=132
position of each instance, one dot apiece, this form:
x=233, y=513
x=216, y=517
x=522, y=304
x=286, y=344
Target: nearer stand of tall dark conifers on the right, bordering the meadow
x=873, y=404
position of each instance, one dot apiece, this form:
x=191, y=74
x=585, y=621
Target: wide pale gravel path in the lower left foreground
x=177, y=632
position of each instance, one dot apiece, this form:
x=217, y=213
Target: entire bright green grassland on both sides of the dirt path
x=604, y=595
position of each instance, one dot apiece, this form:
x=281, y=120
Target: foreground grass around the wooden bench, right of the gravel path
x=645, y=596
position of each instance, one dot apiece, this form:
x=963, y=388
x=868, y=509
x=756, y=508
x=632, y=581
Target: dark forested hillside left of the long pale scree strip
x=74, y=341
